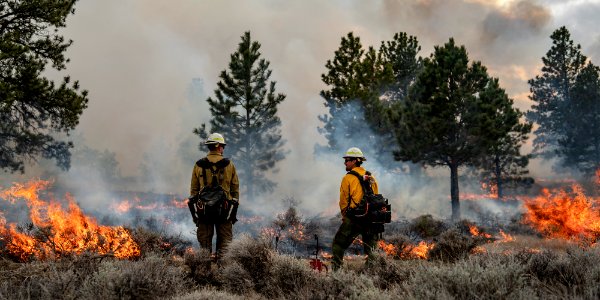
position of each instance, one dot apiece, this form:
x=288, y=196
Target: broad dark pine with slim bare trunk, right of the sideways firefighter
x=454, y=114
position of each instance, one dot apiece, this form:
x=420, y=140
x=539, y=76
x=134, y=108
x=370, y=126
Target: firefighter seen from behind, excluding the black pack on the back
x=230, y=184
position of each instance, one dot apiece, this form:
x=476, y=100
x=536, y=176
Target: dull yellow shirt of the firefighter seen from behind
x=230, y=182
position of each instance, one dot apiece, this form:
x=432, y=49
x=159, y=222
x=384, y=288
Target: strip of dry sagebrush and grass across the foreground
x=526, y=268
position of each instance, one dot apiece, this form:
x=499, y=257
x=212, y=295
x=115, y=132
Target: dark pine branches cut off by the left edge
x=32, y=109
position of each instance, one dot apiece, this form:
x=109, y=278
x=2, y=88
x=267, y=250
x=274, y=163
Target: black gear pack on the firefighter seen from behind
x=211, y=205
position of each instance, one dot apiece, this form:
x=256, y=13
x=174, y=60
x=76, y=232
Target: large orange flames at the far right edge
x=562, y=214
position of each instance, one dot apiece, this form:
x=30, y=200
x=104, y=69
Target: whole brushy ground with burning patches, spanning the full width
x=423, y=258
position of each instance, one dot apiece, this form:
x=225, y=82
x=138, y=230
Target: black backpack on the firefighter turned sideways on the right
x=373, y=210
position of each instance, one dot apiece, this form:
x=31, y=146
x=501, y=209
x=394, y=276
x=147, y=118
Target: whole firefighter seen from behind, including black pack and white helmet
x=214, y=196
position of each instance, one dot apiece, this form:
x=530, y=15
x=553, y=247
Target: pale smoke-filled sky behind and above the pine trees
x=139, y=58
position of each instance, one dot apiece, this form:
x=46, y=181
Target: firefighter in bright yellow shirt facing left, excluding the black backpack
x=351, y=194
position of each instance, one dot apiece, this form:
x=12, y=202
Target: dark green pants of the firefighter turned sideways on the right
x=347, y=232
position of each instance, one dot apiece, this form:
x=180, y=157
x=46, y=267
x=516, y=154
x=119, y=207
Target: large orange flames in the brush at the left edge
x=61, y=232
